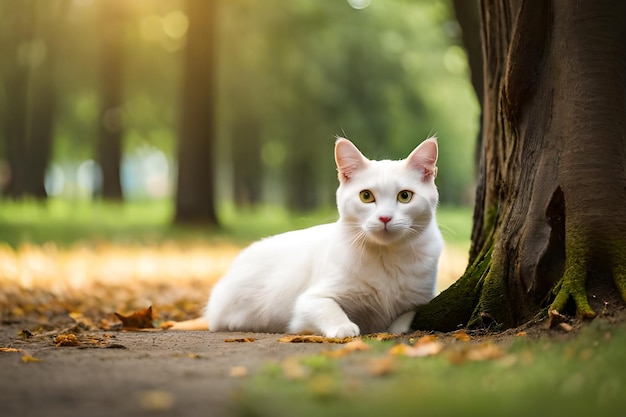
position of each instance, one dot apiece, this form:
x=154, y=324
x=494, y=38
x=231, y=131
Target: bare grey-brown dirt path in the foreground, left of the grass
x=133, y=373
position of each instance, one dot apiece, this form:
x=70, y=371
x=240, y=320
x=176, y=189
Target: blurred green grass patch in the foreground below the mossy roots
x=581, y=376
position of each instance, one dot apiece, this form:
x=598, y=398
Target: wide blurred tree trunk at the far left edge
x=30, y=87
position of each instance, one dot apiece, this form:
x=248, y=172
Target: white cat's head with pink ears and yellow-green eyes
x=386, y=201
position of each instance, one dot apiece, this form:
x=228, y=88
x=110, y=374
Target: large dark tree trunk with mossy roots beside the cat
x=550, y=218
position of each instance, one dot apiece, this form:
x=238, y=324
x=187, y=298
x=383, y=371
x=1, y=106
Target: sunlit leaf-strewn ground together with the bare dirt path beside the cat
x=47, y=288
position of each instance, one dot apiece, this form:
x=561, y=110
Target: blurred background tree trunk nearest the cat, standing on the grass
x=196, y=188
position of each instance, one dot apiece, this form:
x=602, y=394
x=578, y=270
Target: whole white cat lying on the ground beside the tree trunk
x=355, y=276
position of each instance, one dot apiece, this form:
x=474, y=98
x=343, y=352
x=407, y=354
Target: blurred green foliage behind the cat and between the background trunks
x=293, y=74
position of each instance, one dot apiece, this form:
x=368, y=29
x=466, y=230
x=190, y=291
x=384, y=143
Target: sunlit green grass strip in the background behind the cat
x=67, y=222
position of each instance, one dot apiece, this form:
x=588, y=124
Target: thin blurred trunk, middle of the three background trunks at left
x=110, y=128
